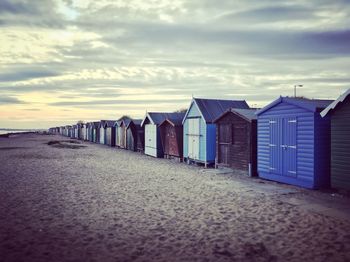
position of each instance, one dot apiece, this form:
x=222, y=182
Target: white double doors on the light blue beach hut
x=193, y=137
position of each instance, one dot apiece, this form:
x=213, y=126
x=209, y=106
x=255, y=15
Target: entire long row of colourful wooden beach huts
x=298, y=141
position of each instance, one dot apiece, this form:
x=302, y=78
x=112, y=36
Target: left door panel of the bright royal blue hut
x=275, y=145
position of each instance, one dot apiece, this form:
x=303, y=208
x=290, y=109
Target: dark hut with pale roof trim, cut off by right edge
x=339, y=111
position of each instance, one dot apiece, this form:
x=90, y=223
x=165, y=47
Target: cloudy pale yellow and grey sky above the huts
x=62, y=61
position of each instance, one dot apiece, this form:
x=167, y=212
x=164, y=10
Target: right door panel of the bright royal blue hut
x=289, y=147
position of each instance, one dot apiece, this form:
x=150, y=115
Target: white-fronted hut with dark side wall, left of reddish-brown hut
x=153, y=143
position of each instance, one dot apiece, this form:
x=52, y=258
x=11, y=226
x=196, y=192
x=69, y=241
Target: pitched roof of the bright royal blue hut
x=312, y=105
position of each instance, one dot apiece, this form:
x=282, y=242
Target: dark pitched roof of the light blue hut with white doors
x=213, y=108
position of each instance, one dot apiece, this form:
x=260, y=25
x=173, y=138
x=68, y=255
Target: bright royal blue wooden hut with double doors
x=294, y=142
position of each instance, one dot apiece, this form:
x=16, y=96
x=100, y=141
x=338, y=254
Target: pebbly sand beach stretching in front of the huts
x=96, y=203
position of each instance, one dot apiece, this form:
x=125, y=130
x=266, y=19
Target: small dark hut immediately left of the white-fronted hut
x=134, y=132
